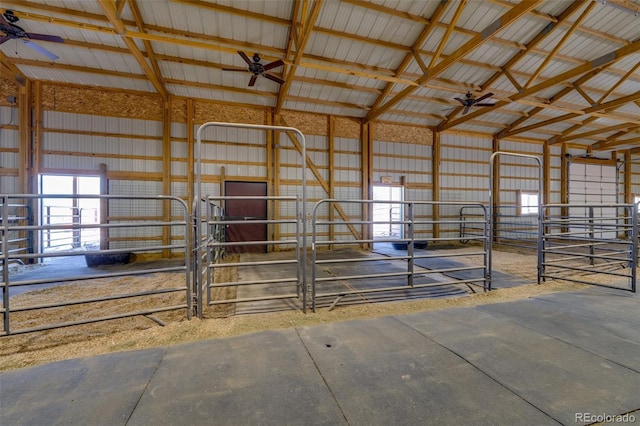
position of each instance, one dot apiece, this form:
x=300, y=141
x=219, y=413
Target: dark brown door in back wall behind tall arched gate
x=246, y=210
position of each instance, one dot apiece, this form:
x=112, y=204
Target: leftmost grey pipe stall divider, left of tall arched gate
x=119, y=234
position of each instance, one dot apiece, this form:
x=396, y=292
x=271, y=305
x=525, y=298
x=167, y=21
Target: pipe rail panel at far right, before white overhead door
x=594, y=244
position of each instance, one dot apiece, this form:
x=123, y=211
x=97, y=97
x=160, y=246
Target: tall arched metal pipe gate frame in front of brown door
x=206, y=244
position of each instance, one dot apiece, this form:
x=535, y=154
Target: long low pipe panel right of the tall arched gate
x=353, y=284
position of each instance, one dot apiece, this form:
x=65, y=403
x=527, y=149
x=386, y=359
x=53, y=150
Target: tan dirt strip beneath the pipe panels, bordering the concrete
x=140, y=331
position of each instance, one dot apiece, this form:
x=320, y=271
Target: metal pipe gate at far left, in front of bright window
x=142, y=223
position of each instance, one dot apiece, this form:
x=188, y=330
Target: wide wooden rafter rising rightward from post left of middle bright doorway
x=504, y=21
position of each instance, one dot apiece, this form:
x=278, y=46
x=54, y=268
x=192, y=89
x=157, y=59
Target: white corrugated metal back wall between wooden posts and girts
x=131, y=148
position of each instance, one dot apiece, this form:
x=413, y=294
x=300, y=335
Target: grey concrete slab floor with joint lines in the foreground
x=562, y=358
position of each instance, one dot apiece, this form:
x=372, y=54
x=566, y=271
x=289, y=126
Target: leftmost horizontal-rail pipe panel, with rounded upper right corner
x=144, y=204
